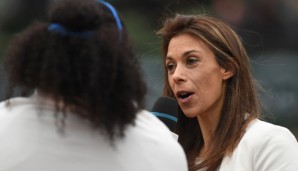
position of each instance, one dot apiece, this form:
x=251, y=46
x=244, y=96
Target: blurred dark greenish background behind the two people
x=268, y=29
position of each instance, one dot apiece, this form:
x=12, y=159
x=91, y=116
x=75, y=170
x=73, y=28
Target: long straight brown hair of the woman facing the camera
x=240, y=104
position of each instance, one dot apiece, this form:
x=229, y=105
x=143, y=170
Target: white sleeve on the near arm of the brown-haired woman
x=277, y=151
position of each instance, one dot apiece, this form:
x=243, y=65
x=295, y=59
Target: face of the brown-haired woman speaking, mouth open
x=194, y=76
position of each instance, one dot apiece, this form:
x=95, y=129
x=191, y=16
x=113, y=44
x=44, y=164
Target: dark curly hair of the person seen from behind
x=97, y=77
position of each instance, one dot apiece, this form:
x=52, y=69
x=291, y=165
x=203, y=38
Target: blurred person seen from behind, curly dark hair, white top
x=86, y=112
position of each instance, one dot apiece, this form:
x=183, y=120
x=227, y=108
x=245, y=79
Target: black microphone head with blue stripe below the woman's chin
x=166, y=109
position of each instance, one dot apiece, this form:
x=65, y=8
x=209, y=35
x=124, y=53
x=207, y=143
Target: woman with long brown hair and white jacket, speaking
x=208, y=71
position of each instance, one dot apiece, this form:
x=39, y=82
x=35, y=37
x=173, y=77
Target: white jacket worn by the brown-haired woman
x=264, y=147
